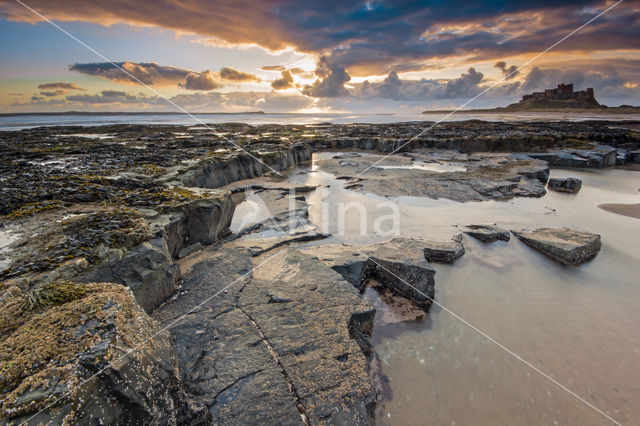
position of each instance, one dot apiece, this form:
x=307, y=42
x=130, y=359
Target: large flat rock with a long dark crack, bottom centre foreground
x=283, y=340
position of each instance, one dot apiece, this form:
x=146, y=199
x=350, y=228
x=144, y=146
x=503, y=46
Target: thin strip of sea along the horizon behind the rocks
x=24, y=121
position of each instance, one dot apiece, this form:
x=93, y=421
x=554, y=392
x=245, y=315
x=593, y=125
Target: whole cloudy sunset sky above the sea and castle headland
x=310, y=57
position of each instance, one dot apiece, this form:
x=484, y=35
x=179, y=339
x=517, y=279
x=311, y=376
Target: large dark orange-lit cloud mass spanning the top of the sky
x=371, y=37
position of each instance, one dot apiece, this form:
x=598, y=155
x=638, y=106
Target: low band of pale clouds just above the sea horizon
x=391, y=93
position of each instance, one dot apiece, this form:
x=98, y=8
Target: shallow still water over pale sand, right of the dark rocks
x=580, y=325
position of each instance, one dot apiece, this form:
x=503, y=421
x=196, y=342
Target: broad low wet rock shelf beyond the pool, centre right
x=487, y=177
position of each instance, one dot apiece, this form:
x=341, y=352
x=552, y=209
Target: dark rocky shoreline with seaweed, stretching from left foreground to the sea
x=117, y=232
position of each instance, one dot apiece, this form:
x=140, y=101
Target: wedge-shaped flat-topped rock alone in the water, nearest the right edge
x=563, y=245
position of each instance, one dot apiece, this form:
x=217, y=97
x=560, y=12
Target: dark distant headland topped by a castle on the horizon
x=562, y=99
